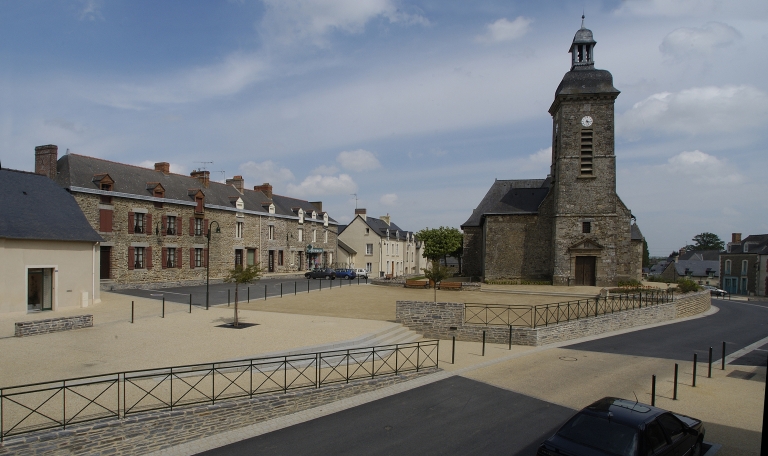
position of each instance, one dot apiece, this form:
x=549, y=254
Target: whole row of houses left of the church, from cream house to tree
x=79, y=224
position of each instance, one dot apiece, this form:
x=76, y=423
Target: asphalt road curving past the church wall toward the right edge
x=738, y=323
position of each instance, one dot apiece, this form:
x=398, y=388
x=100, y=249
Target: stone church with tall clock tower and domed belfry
x=570, y=228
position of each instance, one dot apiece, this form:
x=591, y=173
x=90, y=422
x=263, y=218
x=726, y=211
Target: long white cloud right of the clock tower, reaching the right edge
x=698, y=110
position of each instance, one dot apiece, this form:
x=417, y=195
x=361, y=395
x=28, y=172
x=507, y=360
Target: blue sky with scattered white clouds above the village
x=404, y=107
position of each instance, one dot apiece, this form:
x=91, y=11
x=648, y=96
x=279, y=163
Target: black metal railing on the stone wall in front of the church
x=549, y=314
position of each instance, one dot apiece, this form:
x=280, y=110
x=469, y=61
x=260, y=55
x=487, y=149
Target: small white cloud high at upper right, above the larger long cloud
x=710, y=38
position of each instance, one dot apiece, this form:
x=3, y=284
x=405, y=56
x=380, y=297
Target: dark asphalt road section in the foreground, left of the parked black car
x=452, y=416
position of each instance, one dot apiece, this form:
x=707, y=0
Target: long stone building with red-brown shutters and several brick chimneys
x=155, y=224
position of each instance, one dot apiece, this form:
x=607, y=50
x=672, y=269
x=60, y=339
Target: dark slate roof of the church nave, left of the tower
x=510, y=197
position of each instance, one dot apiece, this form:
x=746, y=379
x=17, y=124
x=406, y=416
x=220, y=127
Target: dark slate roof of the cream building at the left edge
x=34, y=207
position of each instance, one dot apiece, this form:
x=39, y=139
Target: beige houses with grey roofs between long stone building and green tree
x=379, y=246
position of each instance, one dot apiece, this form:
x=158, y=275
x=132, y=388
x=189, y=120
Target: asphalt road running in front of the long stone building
x=221, y=293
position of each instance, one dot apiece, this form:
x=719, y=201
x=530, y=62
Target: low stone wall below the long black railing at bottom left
x=149, y=432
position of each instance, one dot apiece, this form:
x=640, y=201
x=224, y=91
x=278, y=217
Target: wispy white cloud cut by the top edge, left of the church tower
x=312, y=20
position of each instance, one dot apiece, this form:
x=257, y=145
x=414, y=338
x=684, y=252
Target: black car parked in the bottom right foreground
x=613, y=426
